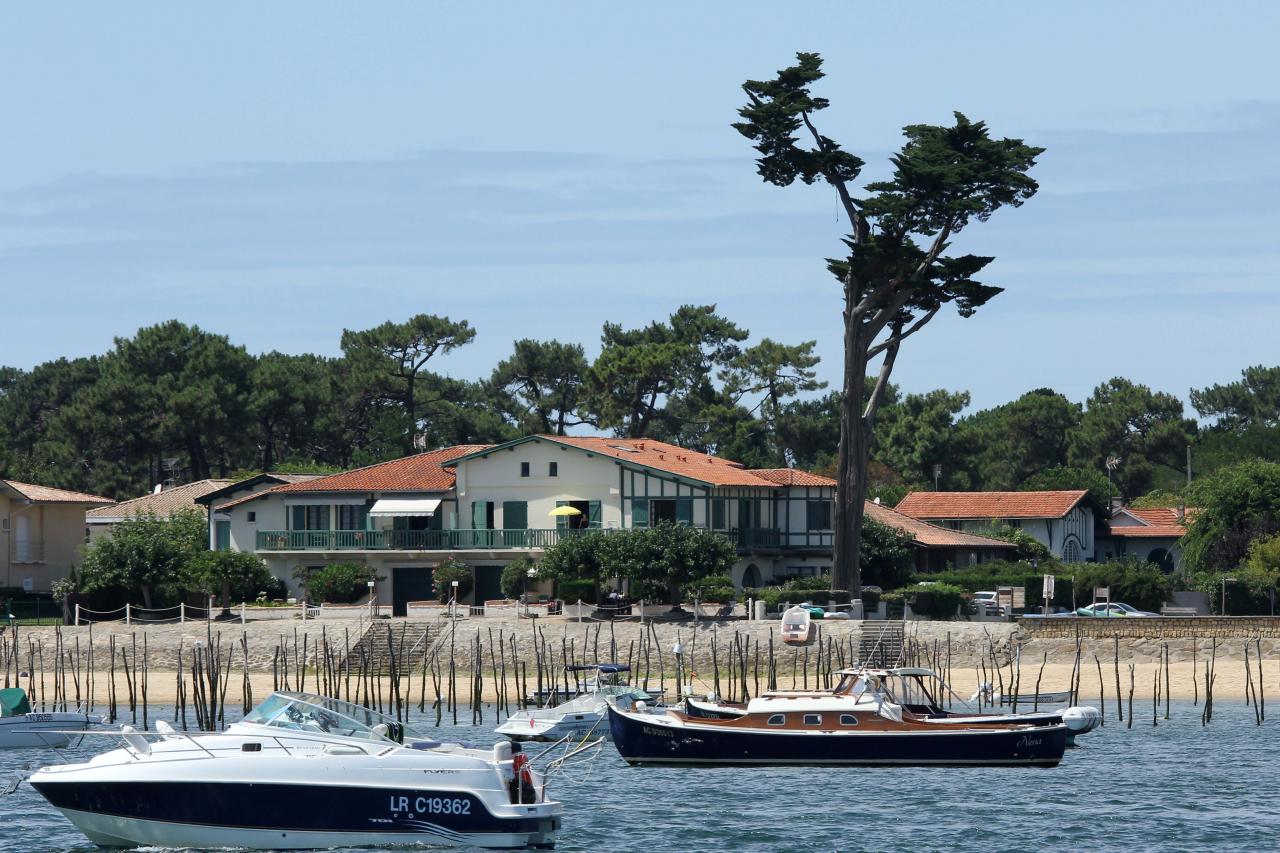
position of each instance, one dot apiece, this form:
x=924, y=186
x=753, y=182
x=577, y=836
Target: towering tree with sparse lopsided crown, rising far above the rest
x=895, y=276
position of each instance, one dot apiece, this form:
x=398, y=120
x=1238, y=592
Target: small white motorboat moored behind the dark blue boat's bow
x=580, y=715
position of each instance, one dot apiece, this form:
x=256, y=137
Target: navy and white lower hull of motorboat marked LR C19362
x=271, y=816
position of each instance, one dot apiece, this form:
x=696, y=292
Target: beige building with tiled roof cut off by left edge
x=42, y=533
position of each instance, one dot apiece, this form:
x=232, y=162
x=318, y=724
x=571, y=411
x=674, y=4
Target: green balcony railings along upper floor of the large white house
x=744, y=539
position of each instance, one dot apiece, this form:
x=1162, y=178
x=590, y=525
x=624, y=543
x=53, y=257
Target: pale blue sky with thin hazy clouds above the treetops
x=281, y=172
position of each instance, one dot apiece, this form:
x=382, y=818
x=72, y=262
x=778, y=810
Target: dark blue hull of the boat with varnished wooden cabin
x=642, y=742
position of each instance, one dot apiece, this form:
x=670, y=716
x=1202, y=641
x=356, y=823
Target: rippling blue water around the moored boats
x=1177, y=787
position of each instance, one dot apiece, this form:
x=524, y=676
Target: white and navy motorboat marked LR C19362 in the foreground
x=303, y=772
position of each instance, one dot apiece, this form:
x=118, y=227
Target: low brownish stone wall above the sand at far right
x=1162, y=628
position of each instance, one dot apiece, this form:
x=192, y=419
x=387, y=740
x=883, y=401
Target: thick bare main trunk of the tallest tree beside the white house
x=854, y=454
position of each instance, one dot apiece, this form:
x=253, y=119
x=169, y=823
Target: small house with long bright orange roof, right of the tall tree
x=1064, y=522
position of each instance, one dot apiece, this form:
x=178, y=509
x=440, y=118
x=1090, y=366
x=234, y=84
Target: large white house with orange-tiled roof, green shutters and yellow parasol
x=491, y=505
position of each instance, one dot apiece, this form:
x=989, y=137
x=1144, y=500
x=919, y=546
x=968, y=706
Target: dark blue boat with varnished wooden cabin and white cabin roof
x=845, y=740
